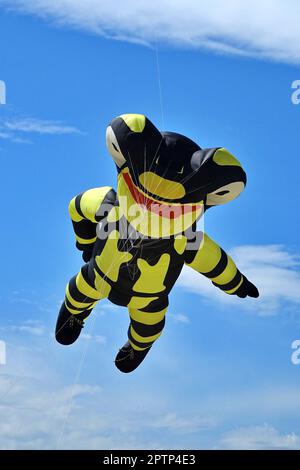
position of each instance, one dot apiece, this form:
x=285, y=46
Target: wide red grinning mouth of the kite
x=168, y=211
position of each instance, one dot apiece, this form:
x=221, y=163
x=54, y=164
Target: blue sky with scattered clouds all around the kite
x=221, y=375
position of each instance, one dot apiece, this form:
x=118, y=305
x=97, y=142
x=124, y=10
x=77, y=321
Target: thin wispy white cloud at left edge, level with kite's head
x=39, y=126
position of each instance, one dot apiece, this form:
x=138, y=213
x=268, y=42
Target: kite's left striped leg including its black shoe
x=83, y=292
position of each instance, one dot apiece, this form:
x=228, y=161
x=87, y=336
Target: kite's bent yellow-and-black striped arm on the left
x=85, y=215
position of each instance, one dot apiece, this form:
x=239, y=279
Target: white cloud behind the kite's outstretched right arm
x=272, y=268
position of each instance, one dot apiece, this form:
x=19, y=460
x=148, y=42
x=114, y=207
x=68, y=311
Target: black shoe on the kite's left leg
x=68, y=326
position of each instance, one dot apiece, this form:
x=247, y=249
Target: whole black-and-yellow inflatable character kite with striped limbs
x=136, y=241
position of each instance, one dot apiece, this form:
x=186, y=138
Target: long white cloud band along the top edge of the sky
x=260, y=28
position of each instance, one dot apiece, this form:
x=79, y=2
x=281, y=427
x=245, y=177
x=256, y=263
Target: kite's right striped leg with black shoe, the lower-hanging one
x=144, y=329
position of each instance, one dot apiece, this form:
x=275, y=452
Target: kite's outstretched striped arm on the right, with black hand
x=212, y=261
